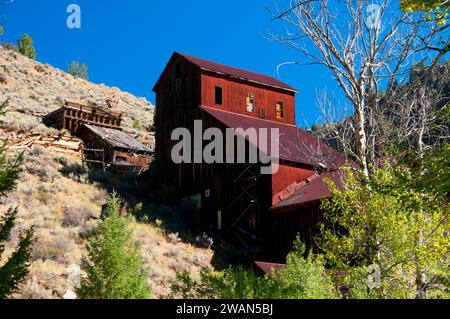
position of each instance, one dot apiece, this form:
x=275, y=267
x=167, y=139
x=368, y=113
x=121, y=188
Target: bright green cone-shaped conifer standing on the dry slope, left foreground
x=113, y=266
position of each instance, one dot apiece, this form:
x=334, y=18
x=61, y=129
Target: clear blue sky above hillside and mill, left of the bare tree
x=127, y=43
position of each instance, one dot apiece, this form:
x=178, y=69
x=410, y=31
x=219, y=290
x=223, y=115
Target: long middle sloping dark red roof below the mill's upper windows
x=295, y=144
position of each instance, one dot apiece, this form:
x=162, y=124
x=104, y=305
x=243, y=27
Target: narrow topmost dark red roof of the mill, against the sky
x=238, y=73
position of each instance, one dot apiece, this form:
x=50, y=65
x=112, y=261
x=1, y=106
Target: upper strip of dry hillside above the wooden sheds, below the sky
x=35, y=89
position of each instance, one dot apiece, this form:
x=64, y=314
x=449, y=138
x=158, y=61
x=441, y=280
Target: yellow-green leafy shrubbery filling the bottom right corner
x=390, y=234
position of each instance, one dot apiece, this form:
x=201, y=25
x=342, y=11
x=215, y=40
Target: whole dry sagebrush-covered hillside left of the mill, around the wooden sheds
x=63, y=200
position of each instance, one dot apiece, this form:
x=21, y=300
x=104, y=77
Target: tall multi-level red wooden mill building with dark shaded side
x=263, y=211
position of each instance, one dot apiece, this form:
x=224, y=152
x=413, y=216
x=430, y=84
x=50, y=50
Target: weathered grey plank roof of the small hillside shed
x=118, y=139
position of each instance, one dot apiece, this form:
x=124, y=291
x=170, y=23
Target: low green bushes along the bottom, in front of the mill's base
x=303, y=278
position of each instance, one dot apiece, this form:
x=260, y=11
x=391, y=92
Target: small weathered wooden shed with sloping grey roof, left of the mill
x=115, y=149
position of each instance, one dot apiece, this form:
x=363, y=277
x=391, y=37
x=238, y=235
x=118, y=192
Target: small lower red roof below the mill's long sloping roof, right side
x=313, y=191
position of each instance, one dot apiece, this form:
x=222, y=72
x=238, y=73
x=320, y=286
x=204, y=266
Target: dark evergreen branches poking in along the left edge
x=15, y=270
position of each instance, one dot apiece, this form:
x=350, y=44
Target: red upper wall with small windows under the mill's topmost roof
x=234, y=93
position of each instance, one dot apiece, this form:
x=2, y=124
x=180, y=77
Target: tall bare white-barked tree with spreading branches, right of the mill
x=369, y=49
